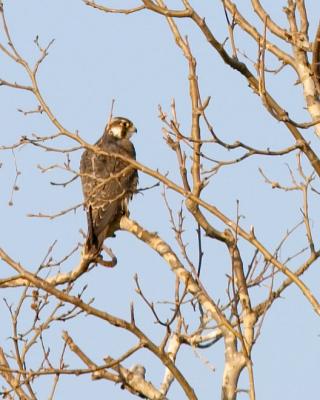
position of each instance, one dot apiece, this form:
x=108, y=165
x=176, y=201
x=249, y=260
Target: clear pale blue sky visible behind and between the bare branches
x=97, y=57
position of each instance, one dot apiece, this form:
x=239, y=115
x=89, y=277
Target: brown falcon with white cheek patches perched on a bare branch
x=108, y=182
